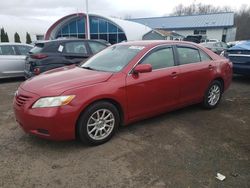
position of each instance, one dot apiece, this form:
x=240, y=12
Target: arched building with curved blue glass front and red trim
x=110, y=29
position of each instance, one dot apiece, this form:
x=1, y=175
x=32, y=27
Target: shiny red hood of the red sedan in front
x=55, y=82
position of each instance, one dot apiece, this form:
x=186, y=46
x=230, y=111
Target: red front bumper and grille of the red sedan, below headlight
x=57, y=123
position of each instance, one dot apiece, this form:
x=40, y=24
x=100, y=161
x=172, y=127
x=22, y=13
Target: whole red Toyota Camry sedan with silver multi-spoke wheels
x=122, y=84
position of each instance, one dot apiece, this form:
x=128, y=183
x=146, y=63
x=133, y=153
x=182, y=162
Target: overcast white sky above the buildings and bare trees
x=120, y=8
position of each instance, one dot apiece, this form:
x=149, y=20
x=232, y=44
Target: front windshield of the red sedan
x=112, y=59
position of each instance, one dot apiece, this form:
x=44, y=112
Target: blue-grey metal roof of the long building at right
x=225, y=19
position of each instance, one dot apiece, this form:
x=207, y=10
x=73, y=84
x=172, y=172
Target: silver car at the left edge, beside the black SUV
x=12, y=59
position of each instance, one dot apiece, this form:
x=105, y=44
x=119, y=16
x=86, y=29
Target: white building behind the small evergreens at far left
x=35, y=27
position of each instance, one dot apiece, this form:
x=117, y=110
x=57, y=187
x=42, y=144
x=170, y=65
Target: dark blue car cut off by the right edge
x=240, y=56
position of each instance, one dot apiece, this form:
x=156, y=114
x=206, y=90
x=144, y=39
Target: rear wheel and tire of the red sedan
x=213, y=95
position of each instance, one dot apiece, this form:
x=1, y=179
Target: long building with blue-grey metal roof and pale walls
x=218, y=26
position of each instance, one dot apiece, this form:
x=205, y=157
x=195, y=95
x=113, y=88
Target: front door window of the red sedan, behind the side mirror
x=160, y=59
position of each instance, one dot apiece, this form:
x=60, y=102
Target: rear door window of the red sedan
x=188, y=55
